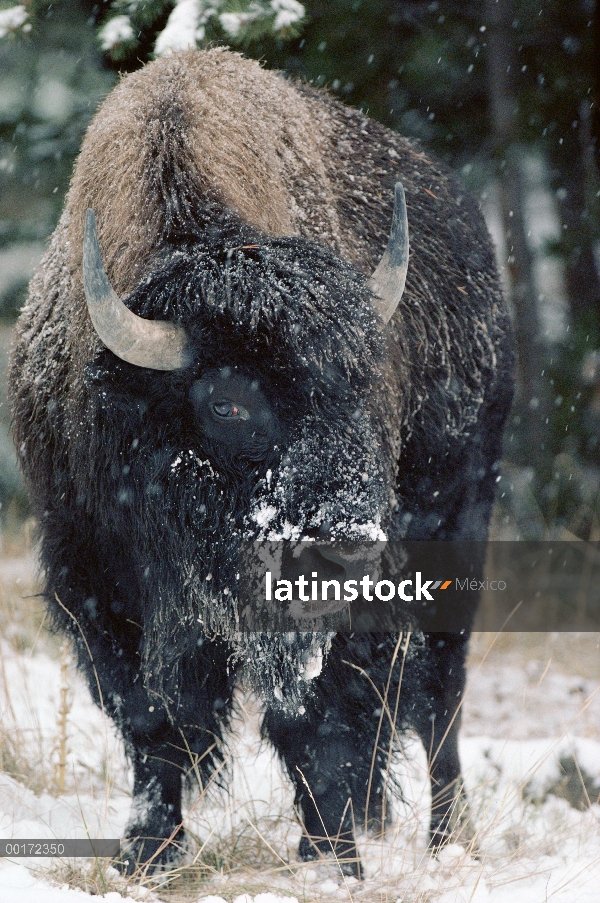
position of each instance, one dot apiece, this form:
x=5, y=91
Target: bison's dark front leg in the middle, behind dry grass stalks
x=328, y=753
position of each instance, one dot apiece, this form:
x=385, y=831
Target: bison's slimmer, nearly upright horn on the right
x=388, y=281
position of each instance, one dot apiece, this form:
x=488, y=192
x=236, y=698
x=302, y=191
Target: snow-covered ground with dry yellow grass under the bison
x=533, y=702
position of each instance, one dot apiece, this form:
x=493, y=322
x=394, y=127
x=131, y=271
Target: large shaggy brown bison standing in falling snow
x=222, y=344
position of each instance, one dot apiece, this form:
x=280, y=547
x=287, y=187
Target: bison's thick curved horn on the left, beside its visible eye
x=145, y=343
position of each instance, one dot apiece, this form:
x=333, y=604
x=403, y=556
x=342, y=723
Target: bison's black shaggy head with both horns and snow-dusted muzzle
x=246, y=390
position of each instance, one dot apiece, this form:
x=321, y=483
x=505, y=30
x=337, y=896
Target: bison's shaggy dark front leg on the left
x=104, y=621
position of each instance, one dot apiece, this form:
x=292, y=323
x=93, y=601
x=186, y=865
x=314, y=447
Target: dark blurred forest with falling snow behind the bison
x=505, y=91
